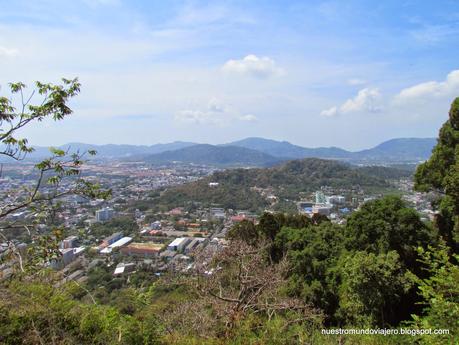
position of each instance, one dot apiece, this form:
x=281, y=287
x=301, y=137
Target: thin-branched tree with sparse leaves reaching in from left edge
x=57, y=176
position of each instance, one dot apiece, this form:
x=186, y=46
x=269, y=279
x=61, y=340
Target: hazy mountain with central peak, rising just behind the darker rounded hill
x=286, y=149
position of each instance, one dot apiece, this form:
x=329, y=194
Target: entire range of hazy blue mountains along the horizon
x=254, y=152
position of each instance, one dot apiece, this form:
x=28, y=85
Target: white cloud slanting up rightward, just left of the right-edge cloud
x=366, y=100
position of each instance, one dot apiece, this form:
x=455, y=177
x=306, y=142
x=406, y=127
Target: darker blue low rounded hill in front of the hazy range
x=214, y=155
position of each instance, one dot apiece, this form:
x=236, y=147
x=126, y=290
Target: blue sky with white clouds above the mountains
x=316, y=73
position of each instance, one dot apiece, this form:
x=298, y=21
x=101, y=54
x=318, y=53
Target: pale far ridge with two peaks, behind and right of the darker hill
x=395, y=150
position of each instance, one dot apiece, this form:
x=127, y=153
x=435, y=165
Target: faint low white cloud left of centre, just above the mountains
x=215, y=113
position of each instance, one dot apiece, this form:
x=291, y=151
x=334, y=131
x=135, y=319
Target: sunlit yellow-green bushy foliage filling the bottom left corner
x=37, y=313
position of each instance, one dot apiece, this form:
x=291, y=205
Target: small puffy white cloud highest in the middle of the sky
x=254, y=66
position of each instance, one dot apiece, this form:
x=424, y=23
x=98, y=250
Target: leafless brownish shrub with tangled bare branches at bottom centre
x=241, y=282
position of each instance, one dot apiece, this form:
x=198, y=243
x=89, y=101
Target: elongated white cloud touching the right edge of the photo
x=445, y=88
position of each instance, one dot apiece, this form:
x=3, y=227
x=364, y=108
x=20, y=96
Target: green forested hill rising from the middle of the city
x=235, y=186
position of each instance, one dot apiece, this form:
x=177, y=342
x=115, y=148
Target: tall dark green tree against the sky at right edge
x=441, y=175
